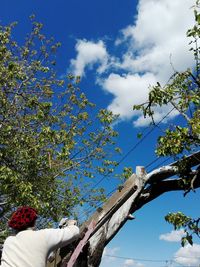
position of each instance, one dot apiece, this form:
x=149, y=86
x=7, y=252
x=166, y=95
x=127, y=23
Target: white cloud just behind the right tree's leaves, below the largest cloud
x=133, y=89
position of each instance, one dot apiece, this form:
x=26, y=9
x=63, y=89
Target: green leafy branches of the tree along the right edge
x=181, y=93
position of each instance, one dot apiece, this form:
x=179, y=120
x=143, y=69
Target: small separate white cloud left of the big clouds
x=88, y=54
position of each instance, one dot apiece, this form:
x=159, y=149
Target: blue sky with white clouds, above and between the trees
x=120, y=47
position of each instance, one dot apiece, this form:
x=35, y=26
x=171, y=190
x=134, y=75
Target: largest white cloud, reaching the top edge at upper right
x=159, y=33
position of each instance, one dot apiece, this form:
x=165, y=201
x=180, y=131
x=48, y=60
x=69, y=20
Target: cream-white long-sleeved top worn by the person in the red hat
x=31, y=248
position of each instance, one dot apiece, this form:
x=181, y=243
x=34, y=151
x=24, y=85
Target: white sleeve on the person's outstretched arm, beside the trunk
x=57, y=238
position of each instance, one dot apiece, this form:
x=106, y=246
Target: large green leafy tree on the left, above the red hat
x=52, y=141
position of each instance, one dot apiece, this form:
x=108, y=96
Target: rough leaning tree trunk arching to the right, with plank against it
x=138, y=190
